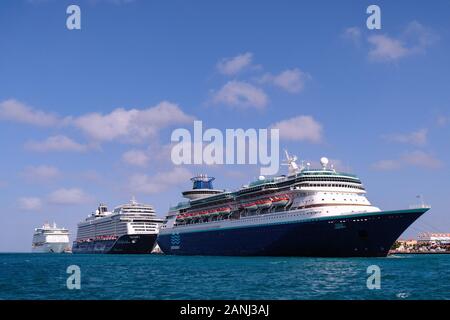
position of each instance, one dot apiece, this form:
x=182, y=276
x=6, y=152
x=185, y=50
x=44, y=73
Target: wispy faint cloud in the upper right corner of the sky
x=415, y=39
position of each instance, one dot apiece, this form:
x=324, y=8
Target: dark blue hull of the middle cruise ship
x=127, y=244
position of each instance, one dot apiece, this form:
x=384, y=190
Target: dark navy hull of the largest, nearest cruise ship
x=356, y=235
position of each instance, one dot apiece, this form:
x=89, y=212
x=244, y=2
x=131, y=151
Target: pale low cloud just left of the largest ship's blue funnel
x=141, y=183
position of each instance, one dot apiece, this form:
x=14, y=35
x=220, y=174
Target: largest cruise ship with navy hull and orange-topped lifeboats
x=310, y=212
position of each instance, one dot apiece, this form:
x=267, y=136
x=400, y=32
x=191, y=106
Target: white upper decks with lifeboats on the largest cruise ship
x=304, y=193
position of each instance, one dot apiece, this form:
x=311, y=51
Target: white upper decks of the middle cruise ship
x=129, y=219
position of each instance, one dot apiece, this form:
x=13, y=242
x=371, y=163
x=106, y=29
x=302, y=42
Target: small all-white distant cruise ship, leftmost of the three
x=50, y=239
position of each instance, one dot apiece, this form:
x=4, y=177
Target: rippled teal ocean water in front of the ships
x=43, y=276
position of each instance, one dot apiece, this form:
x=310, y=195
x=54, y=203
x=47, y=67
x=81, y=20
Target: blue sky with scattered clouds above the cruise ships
x=86, y=115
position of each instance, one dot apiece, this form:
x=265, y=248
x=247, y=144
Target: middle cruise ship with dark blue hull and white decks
x=129, y=228
